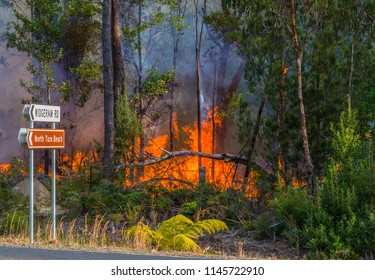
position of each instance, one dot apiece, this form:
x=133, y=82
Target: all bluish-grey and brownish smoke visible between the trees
x=85, y=124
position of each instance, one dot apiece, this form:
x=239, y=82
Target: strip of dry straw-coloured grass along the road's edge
x=102, y=233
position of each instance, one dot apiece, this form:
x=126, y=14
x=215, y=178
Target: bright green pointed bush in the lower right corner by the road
x=340, y=225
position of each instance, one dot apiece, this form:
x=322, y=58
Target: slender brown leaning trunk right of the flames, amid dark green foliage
x=299, y=58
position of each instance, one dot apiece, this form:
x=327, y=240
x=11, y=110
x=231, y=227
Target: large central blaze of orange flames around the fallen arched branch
x=178, y=172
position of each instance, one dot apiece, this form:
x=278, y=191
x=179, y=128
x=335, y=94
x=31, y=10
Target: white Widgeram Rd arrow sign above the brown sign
x=42, y=113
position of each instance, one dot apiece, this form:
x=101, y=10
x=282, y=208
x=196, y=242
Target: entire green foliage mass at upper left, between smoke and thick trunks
x=51, y=31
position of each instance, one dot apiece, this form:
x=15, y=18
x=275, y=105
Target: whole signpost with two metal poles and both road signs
x=42, y=138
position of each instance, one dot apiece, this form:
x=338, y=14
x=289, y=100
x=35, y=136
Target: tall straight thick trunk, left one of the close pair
x=108, y=91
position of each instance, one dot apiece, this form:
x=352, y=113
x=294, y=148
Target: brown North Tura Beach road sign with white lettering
x=44, y=138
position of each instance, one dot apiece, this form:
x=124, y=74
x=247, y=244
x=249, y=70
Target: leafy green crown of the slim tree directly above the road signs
x=38, y=35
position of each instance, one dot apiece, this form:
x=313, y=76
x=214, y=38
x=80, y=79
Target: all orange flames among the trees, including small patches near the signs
x=174, y=173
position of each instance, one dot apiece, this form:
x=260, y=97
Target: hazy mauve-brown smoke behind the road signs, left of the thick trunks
x=82, y=124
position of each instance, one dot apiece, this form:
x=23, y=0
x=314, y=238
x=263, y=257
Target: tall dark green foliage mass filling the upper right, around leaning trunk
x=259, y=31
